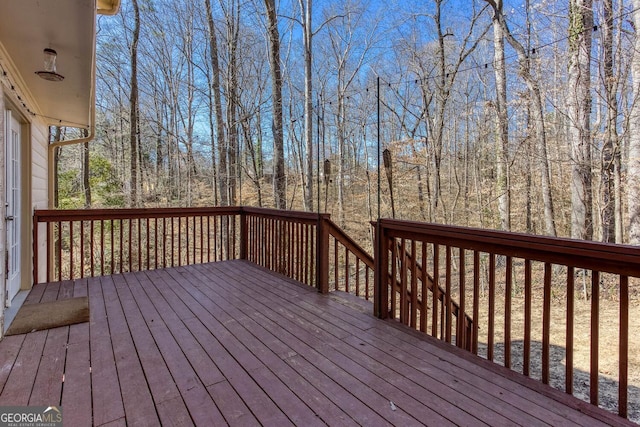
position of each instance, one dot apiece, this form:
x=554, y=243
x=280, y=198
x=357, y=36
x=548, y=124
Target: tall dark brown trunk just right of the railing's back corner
x=279, y=178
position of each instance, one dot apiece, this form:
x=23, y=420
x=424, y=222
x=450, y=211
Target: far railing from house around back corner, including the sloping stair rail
x=88, y=243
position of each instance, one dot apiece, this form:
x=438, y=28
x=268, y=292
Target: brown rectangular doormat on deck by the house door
x=47, y=315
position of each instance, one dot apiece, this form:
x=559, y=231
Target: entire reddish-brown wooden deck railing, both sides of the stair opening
x=489, y=292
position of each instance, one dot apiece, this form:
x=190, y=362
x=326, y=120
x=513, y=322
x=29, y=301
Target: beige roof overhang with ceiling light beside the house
x=27, y=27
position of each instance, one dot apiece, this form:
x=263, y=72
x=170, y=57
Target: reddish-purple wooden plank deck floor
x=232, y=343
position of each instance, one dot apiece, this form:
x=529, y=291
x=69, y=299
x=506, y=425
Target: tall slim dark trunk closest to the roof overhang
x=133, y=102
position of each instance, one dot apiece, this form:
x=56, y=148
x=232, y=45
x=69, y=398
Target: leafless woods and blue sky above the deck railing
x=512, y=115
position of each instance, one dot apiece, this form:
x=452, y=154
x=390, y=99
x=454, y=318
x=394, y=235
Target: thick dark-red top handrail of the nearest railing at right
x=605, y=257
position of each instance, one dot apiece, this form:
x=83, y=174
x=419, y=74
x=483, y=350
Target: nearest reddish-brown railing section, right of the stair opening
x=519, y=289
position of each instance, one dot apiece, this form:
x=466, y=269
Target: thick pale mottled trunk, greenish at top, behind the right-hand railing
x=579, y=111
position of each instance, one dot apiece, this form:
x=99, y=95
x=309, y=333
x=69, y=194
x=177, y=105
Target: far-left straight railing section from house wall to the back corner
x=88, y=243
